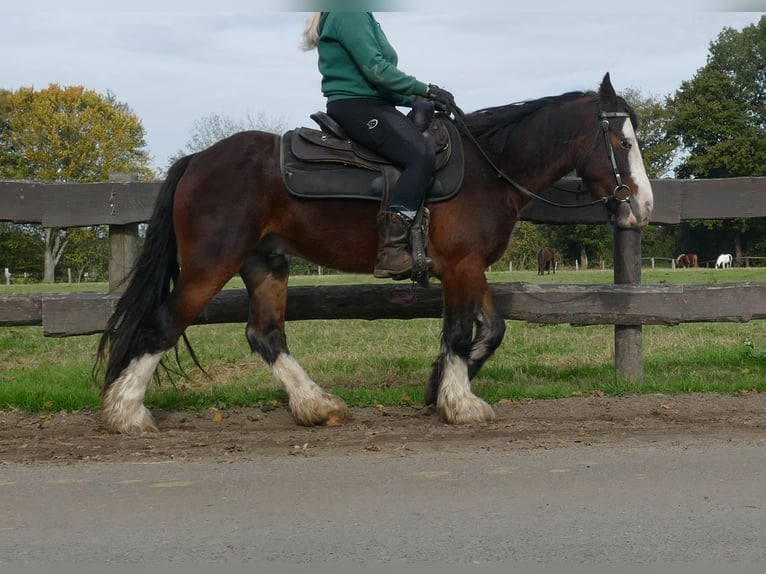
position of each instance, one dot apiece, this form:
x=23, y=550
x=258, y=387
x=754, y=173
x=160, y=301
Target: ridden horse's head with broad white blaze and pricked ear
x=614, y=168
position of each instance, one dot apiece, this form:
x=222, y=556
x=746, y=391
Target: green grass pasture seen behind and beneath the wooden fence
x=387, y=362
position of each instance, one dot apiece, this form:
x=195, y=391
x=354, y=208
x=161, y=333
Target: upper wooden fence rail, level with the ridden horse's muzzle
x=126, y=202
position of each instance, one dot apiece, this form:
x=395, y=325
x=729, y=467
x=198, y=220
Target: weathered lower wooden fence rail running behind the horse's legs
x=630, y=305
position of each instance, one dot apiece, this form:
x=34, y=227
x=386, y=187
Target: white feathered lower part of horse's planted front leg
x=456, y=404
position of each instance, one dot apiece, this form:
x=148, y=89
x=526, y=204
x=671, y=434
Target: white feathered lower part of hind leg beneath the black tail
x=123, y=401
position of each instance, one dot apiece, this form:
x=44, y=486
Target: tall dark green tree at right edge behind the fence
x=720, y=121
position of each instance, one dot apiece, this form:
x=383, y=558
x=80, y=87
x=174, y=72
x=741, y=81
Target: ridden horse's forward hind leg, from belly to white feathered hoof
x=265, y=274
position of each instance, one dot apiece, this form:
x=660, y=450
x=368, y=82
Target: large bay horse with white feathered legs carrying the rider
x=226, y=210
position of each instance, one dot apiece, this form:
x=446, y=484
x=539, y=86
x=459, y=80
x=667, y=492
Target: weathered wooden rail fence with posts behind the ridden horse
x=123, y=204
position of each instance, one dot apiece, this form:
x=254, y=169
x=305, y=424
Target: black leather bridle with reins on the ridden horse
x=620, y=194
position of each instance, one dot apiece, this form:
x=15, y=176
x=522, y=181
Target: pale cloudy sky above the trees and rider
x=178, y=62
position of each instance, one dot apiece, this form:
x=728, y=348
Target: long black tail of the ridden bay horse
x=133, y=328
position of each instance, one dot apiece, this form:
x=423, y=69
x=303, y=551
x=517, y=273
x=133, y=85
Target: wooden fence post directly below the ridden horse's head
x=628, y=339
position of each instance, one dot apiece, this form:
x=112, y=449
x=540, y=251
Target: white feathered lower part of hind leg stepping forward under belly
x=309, y=404
